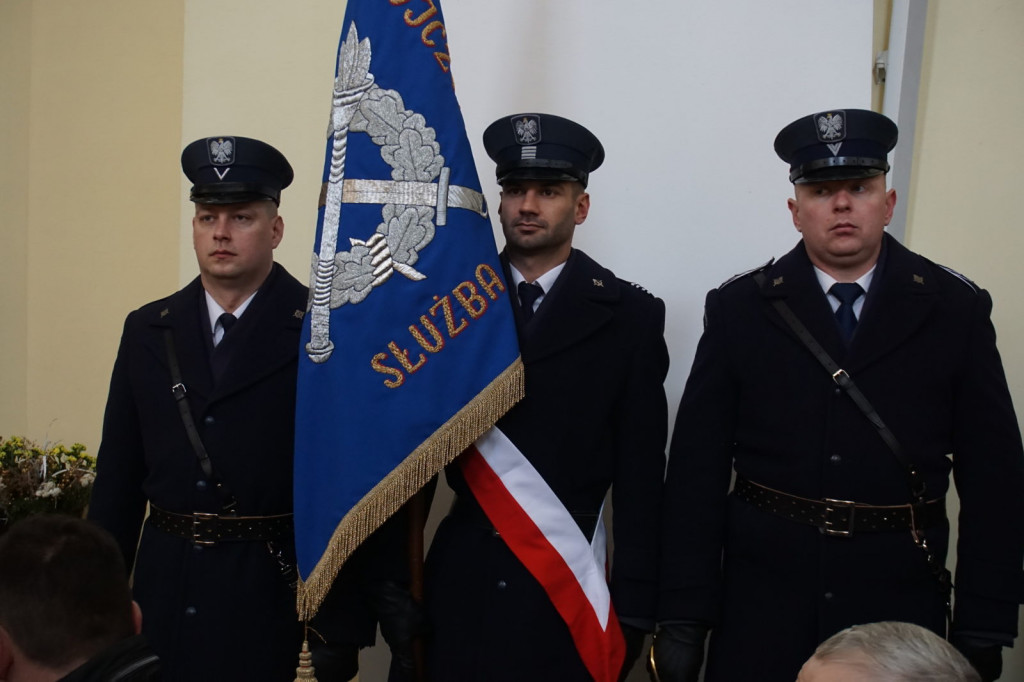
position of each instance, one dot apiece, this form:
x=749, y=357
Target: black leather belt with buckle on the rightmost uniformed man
x=841, y=518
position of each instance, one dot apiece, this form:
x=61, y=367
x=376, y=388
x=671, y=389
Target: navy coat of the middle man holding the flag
x=594, y=416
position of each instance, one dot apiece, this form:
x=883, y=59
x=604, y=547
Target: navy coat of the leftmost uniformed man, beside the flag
x=219, y=613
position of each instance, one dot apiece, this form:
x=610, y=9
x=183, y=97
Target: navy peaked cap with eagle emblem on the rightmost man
x=837, y=146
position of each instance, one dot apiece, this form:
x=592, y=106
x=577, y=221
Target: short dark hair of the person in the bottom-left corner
x=64, y=592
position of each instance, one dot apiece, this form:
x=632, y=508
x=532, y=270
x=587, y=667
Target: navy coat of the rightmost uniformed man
x=924, y=354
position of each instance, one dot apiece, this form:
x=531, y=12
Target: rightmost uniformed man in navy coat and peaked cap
x=838, y=513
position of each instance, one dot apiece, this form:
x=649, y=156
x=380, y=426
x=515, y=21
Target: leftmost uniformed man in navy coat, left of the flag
x=200, y=425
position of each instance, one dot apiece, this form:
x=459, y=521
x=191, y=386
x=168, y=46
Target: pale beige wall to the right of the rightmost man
x=967, y=177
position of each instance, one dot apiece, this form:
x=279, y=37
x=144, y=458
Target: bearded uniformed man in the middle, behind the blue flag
x=594, y=417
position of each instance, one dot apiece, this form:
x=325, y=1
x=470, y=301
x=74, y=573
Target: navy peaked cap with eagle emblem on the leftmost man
x=235, y=170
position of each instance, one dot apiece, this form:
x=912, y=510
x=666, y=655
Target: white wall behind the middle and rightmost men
x=688, y=99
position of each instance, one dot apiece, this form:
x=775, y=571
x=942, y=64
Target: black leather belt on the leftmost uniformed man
x=203, y=529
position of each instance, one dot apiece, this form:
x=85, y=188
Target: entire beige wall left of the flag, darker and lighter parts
x=99, y=100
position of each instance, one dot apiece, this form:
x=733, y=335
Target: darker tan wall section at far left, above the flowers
x=93, y=129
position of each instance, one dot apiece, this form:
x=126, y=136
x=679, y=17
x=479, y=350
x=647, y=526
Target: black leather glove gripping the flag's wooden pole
x=402, y=621
